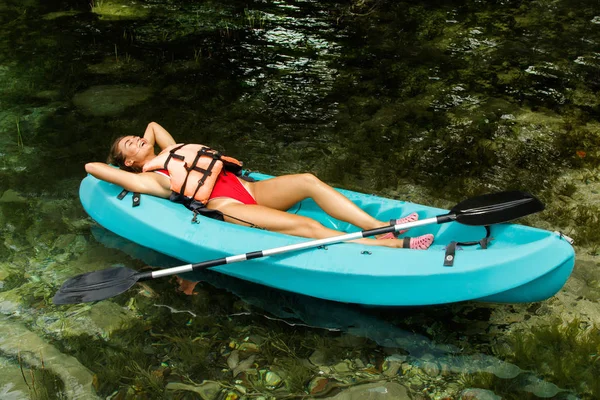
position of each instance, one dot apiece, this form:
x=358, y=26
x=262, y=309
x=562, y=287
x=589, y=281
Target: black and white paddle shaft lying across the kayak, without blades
x=293, y=247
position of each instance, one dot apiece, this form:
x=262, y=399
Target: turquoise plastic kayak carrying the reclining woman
x=521, y=264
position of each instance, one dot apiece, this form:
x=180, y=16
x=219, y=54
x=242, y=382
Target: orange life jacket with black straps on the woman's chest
x=193, y=168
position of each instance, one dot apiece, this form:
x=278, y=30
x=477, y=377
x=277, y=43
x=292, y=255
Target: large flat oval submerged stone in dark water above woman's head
x=110, y=100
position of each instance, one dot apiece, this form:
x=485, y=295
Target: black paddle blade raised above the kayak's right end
x=495, y=208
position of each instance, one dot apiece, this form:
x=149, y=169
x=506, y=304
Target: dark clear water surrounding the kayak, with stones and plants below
x=430, y=102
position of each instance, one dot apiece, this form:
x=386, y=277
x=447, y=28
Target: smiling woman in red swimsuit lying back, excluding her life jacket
x=262, y=203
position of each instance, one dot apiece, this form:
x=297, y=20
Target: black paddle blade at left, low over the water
x=97, y=285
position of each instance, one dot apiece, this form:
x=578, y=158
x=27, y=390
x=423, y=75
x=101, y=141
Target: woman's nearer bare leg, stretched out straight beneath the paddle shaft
x=283, y=222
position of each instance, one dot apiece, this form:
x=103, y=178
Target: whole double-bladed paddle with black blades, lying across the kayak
x=478, y=211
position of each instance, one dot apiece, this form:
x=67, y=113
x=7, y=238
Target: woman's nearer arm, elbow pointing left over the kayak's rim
x=146, y=182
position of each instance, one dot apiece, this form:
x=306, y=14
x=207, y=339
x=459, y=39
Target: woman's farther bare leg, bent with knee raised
x=283, y=192
